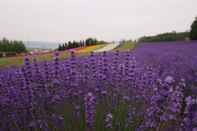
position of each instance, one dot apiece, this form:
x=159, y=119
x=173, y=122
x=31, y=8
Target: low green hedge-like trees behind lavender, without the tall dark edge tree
x=170, y=36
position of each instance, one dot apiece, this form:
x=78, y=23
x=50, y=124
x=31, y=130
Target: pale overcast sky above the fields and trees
x=63, y=20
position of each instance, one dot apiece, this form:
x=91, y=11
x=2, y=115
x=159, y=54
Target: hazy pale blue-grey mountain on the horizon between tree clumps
x=41, y=45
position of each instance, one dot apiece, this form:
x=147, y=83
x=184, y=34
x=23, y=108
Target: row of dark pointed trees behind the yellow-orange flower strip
x=81, y=43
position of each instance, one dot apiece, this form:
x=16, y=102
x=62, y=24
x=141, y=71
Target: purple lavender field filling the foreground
x=150, y=88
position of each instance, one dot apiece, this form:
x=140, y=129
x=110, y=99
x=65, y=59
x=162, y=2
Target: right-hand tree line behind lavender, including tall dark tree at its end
x=173, y=36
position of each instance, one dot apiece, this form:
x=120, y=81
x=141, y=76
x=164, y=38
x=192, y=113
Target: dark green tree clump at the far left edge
x=11, y=48
